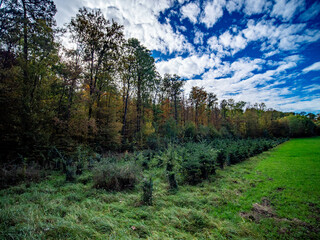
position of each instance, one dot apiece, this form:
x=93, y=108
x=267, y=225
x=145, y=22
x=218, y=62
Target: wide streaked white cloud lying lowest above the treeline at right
x=246, y=80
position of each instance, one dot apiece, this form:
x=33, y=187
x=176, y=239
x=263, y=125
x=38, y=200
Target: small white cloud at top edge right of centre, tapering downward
x=213, y=11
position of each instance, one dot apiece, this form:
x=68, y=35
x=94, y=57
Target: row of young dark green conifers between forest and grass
x=190, y=163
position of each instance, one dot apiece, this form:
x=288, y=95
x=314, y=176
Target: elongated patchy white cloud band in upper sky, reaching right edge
x=274, y=38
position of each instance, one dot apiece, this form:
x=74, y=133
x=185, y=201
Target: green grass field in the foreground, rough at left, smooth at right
x=287, y=176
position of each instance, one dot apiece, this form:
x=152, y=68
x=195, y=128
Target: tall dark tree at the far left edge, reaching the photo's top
x=27, y=33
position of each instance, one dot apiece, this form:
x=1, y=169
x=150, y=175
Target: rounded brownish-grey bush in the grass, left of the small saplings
x=114, y=176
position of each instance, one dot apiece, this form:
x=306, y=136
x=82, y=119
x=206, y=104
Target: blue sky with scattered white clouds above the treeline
x=248, y=50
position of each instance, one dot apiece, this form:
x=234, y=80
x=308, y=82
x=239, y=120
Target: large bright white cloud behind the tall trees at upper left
x=140, y=20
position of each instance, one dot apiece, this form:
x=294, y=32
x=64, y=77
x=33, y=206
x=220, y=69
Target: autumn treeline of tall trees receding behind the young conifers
x=105, y=93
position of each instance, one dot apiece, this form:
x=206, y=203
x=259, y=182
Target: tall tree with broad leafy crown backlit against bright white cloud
x=98, y=40
